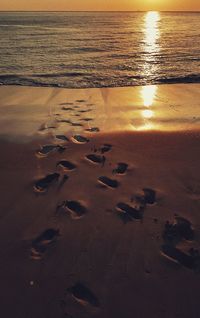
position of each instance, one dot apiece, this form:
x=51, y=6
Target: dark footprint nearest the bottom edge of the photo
x=83, y=295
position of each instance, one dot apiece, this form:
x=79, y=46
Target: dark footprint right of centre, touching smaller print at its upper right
x=128, y=213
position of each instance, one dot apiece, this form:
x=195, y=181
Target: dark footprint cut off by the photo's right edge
x=190, y=260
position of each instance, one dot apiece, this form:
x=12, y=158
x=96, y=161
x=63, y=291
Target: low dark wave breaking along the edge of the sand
x=83, y=80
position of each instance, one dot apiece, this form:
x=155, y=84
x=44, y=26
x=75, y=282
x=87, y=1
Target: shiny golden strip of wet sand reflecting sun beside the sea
x=29, y=111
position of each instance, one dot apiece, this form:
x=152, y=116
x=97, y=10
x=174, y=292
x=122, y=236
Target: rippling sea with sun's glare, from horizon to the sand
x=99, y=49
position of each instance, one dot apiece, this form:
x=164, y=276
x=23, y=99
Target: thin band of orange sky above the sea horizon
x=99, y=5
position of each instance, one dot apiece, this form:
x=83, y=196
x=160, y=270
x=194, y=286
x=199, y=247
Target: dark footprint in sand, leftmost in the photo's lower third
x=40, y=244
